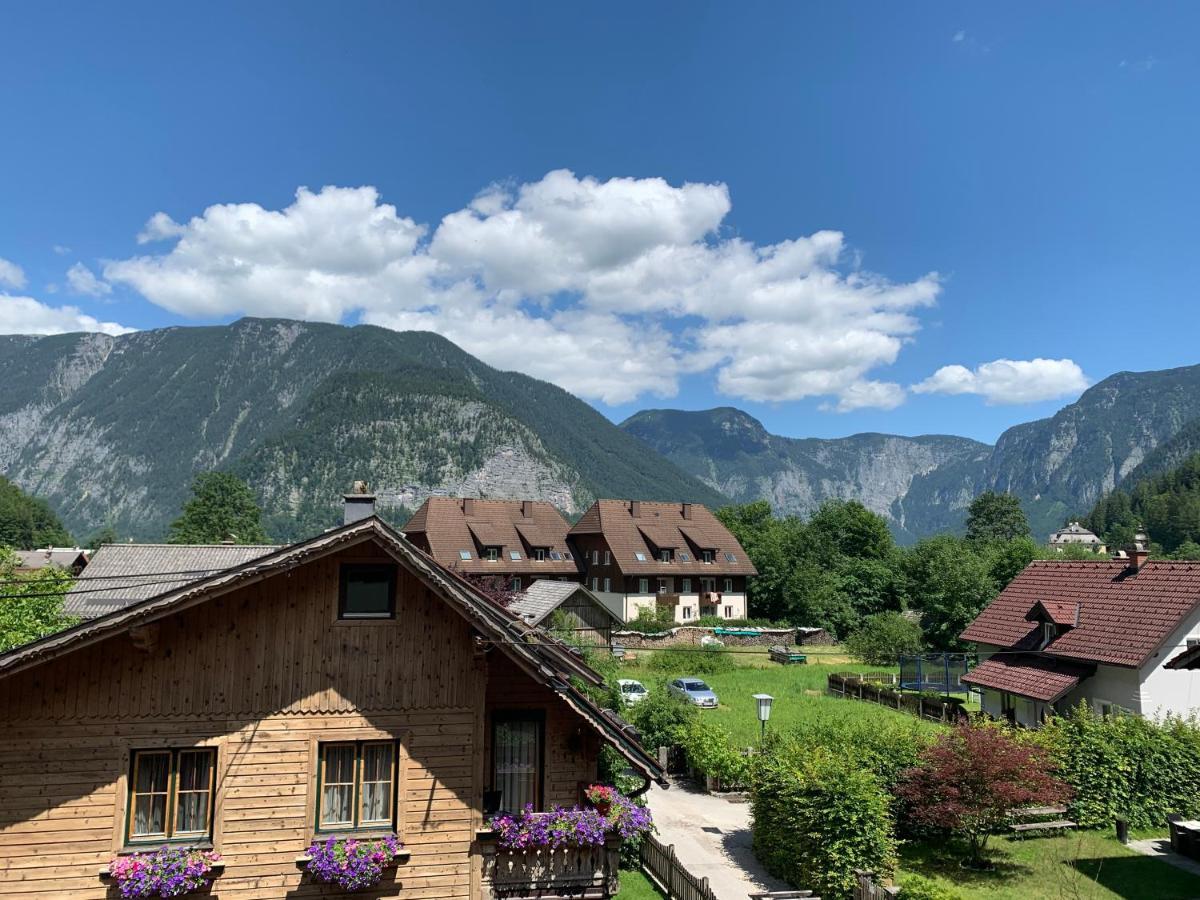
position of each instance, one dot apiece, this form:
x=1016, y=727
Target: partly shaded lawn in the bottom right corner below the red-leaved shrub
x=1081, y=866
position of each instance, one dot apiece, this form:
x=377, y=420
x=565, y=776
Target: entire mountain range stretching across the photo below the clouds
x=112, y=430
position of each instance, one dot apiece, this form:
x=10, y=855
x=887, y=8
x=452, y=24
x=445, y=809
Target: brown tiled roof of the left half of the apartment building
x=449, y=530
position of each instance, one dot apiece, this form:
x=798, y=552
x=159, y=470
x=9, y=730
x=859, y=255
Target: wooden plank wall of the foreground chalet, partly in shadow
x=263, y=674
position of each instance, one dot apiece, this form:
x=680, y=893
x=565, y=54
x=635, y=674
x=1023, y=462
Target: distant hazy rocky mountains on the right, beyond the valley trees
x=1058, y=466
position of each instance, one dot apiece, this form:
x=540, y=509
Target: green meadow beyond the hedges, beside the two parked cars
x=800, y=692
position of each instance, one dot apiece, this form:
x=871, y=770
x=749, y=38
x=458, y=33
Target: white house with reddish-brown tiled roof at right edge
x=1101, y=633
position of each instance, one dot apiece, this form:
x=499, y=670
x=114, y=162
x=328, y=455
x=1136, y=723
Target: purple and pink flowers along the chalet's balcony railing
x=573, y=827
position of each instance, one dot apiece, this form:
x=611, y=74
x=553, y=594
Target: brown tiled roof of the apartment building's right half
x=627, y=537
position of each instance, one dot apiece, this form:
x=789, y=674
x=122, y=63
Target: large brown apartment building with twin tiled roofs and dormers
x=631, y=554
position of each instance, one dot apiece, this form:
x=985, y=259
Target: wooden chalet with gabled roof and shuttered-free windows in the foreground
x=345, y=686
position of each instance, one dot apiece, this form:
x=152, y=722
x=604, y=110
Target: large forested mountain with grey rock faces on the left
x=112, y=430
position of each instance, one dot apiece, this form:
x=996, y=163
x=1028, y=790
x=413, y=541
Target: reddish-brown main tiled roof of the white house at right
x=1124, y=616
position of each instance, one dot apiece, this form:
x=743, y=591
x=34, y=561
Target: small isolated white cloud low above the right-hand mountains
x=1006, y=382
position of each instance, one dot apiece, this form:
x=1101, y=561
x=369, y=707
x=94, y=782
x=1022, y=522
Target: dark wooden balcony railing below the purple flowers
x=545, y=874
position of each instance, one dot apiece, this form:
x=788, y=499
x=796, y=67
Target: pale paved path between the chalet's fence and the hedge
x=712, y=838
